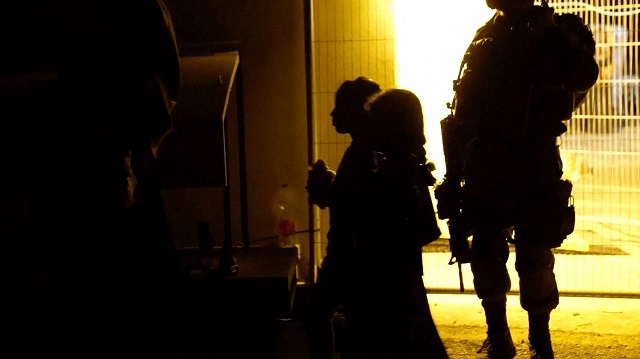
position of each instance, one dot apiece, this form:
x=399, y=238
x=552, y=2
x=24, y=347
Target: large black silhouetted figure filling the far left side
x=86, y=259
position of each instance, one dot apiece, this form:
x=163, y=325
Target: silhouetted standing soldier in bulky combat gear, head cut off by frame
x=524, y=73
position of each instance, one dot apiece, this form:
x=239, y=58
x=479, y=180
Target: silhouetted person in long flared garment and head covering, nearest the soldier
x=388, y=315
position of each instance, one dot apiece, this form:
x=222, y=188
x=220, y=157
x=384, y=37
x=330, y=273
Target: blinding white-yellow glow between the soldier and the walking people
x=431, y=37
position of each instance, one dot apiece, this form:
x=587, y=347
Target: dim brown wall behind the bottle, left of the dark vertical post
x=270, y=37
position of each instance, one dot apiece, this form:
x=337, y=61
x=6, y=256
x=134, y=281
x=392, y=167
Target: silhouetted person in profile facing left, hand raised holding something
x=349, y=117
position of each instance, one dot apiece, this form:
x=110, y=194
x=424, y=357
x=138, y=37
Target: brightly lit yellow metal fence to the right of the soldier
x=601, y=155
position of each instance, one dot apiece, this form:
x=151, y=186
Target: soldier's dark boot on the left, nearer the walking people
x=498, y=344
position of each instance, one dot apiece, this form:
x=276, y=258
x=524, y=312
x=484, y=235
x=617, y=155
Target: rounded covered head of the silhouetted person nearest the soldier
x=397, y=122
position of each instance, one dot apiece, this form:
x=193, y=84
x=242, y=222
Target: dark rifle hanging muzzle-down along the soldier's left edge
x=449, y=192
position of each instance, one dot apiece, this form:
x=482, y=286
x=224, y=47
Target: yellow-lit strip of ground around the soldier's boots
x=581, y=327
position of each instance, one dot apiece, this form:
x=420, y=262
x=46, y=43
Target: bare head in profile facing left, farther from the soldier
x=349, y=113
